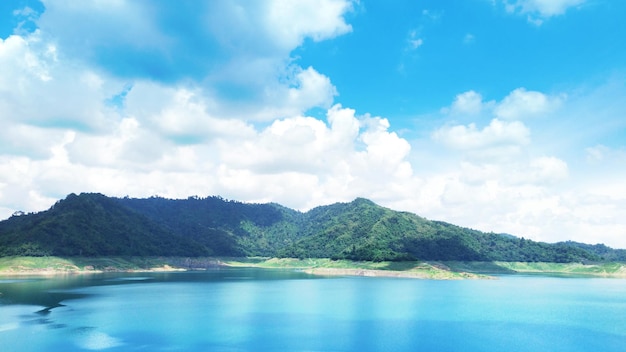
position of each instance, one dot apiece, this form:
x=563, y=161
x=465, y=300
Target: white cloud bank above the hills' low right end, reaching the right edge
x=493, y=176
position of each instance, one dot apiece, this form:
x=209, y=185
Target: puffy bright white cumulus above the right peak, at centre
x=360, y=151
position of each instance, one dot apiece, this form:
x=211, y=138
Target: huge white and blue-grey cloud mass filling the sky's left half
x=128, y=135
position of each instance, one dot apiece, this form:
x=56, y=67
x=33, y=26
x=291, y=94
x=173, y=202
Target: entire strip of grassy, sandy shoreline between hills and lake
x=57, y=266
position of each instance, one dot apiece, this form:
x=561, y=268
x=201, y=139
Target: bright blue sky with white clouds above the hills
x=505, y=116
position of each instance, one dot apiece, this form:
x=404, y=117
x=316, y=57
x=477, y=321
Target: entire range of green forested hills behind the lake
x=96, y=225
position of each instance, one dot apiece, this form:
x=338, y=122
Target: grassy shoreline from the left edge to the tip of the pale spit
x=56, y=266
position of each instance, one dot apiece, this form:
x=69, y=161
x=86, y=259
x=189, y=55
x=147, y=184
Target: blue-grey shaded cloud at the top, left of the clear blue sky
x=239, y=54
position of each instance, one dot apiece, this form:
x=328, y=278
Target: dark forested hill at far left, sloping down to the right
x=91, y=225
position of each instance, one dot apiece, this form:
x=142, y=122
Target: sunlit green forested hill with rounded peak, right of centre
x=362, y=230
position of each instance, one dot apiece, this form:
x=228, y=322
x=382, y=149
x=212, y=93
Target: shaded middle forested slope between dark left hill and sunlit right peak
x=229, y=228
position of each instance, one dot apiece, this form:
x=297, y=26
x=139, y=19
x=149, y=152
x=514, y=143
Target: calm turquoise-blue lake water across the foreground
x=260, y=310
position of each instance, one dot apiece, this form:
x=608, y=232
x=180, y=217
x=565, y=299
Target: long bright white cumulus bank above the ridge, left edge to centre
x=299, y=161
